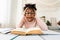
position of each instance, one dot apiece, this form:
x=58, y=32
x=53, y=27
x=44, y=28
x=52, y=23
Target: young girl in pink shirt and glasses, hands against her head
x=30, y=19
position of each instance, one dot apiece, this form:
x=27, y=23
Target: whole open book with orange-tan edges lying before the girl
x=27, y=31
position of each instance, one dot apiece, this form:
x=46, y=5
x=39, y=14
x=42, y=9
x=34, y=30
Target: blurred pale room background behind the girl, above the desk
x=11, y=12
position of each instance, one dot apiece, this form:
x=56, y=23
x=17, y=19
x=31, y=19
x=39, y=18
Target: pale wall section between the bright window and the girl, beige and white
x=16, y=12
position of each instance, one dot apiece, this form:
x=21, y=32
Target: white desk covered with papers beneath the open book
x=48, y=35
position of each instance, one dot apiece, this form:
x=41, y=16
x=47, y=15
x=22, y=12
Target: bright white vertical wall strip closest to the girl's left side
x=19, y=12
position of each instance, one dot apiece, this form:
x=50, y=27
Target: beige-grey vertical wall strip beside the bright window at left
x=13, y=13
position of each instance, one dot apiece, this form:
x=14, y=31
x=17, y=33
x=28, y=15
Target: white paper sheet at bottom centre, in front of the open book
x=36, y=37
